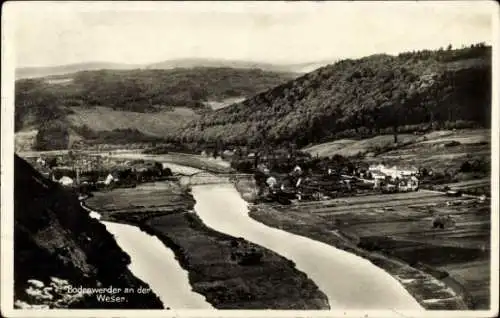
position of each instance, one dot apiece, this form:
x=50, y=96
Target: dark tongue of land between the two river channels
x=230, y=272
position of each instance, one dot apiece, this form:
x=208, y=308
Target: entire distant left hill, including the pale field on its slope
x=151, y=102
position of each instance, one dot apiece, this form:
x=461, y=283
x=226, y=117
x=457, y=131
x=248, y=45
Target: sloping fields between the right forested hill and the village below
x=434, y=150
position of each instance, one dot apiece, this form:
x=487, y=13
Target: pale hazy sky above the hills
x=47, y=34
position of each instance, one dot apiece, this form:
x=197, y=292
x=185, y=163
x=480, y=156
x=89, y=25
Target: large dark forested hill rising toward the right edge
x=358, y=98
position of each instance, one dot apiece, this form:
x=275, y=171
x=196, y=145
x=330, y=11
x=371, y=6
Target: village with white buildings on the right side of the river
x=283, y=176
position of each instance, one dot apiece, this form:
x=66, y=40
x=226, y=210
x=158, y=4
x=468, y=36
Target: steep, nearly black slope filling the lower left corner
x=57, y=244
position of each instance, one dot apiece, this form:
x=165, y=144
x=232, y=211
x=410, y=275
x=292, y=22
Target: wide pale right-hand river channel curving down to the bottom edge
x=349, y=281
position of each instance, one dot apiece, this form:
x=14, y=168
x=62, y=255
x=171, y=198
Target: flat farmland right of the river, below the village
x=395, y=231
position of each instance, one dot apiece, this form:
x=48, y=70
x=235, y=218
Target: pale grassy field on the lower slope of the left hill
x=155, y=124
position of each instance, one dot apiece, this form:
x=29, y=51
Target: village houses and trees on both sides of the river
x=279, y=175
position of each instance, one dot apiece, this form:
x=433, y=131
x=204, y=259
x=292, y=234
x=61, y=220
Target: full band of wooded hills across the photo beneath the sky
x=351, y=98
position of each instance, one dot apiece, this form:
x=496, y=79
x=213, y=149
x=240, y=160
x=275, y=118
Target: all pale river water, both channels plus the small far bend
x=349, y=281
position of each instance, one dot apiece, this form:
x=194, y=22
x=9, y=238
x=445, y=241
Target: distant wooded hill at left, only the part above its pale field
x=42, y=99
